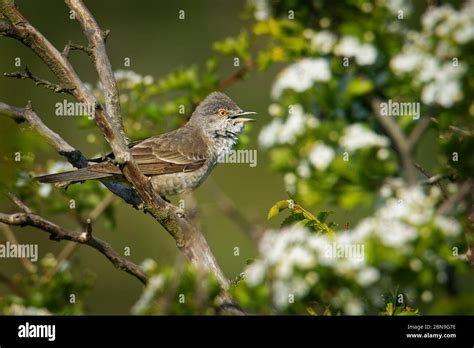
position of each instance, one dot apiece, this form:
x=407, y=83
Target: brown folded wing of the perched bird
x=177, y=151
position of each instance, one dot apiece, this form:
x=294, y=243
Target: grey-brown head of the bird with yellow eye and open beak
x=218, y=113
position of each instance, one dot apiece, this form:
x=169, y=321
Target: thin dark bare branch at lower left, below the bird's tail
x=60, y=233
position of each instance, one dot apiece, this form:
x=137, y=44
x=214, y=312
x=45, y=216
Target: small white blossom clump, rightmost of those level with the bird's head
x=356, y=137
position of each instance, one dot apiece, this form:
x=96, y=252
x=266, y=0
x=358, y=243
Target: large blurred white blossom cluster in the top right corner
x=430, y=61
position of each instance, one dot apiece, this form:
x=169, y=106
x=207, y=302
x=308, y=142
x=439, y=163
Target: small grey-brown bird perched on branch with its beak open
x=180, y=160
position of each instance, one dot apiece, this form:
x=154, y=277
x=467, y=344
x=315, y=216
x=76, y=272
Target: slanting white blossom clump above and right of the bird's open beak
x=301, y=76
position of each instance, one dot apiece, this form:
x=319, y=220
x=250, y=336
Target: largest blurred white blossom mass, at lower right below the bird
x=294, y=256
